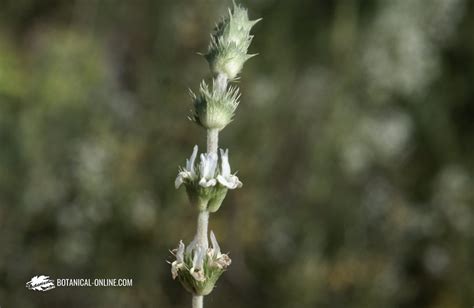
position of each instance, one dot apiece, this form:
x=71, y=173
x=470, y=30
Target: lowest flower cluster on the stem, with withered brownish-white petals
x=198, y=268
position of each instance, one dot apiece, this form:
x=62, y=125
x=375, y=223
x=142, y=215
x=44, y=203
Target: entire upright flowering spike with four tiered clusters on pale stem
x=198, y=266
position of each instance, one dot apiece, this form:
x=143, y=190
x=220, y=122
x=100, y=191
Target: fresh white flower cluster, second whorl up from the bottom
x=207, y=183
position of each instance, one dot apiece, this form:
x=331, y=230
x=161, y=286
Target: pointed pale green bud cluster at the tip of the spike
x=230, y=41
